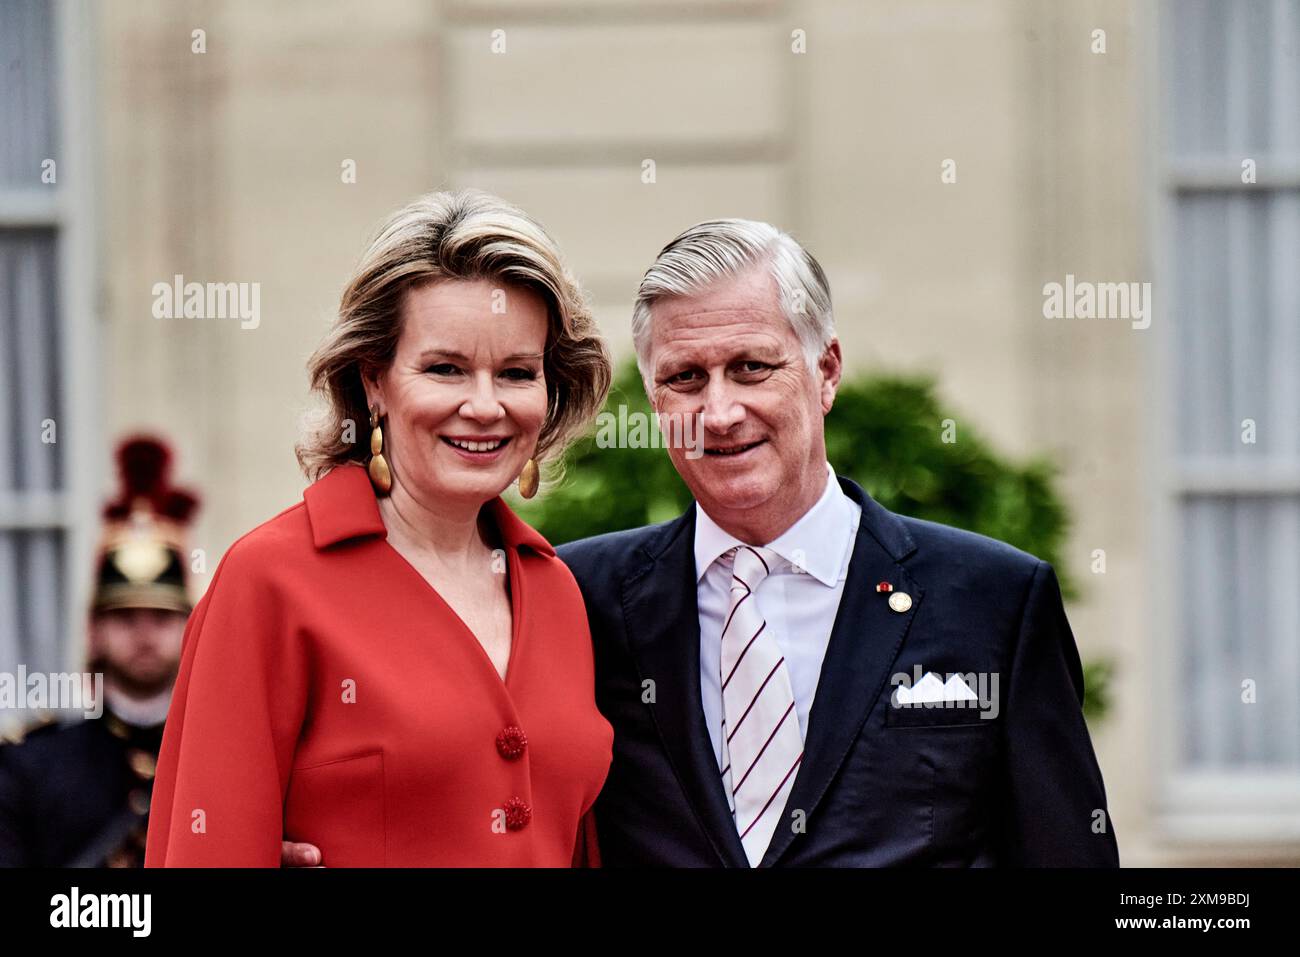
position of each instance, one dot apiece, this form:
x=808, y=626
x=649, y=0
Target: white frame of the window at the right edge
x=1194, y=807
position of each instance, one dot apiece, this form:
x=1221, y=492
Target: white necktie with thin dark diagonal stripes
x=762, y=746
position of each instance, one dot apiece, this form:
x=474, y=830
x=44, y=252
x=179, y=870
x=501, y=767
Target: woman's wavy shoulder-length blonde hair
x=467, y=235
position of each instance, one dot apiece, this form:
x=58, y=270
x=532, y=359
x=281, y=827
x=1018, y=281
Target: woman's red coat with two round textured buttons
x=330, y=695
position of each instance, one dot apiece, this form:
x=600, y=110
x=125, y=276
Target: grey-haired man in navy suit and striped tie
x=796, y=675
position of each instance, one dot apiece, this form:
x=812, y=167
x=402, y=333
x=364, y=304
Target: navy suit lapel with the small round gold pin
x=865, y=642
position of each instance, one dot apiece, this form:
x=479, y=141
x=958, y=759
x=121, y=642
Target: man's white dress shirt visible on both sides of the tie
x=799, y=600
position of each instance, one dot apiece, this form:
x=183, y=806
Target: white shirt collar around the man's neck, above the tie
x=818, y=543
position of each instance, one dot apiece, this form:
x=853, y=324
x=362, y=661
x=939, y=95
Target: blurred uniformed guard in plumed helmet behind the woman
x=77, y=795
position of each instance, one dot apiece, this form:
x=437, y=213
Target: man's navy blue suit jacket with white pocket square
x=879, y=785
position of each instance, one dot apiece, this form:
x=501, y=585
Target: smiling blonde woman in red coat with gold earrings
x=398, y=669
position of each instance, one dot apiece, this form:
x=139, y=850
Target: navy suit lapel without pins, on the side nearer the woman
x=662, y=618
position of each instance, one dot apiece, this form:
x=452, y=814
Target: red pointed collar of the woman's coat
x=343, y=505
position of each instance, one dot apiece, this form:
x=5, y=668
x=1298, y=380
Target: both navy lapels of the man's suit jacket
x=662, y=622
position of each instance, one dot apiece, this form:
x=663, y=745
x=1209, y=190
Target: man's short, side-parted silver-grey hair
x=722, y=249
